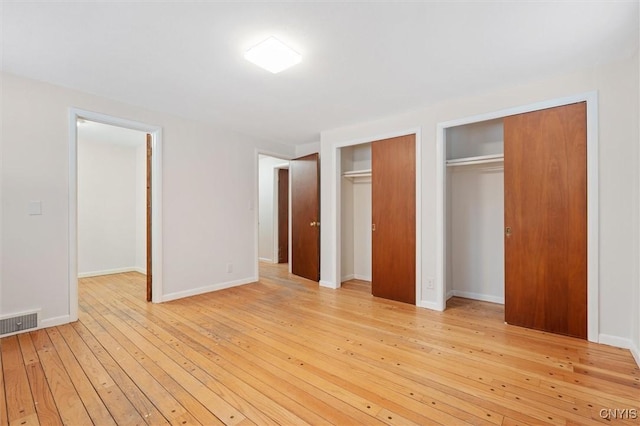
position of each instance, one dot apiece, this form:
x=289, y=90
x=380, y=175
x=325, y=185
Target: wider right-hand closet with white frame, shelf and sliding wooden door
x=543, y=159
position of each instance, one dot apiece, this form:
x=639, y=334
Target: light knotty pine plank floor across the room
x=283, y=351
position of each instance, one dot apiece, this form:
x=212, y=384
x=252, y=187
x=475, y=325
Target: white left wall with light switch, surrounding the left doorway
x=209, y=192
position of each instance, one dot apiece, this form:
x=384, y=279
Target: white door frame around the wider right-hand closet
x=591, y=98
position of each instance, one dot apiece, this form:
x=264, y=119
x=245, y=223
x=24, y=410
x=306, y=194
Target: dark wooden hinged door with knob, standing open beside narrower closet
x=305, y=217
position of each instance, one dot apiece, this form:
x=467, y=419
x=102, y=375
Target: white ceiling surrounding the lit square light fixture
x=361, y=60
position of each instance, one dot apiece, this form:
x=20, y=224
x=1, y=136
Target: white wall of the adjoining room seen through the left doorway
x=108, y=206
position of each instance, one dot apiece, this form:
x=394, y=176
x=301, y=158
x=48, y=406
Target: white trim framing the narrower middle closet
x=336, y=177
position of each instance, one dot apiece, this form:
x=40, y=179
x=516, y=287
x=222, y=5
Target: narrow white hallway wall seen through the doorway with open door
x=268, y=207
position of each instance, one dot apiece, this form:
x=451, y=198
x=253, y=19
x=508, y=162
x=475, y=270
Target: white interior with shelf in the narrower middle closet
x=356, y=212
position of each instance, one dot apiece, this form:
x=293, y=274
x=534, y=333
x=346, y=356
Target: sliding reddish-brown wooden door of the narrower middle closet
x=393, y=210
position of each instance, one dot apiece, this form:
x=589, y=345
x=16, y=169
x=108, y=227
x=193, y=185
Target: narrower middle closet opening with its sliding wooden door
x=378, y=217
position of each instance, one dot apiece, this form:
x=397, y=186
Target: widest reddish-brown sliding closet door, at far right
x=545, y=175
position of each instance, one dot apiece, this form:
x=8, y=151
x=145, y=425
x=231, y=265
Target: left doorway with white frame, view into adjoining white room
x=114, y=200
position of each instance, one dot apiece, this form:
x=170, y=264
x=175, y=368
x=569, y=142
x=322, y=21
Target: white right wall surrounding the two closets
x=617, y=85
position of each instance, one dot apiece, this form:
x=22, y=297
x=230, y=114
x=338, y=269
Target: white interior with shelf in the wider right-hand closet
x=474, y=217
